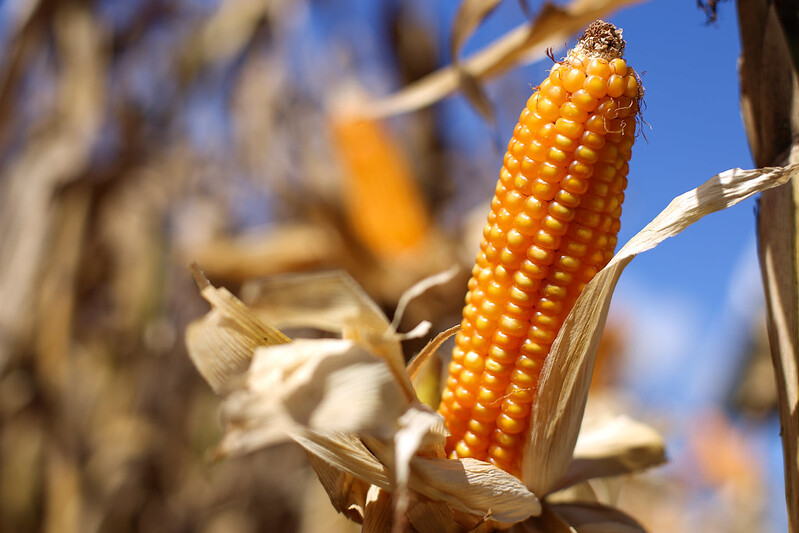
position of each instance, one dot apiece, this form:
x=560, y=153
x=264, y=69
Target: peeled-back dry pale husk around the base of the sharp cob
x=384, y=457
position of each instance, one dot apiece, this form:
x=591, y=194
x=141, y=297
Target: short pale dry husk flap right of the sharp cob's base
x=614, y=447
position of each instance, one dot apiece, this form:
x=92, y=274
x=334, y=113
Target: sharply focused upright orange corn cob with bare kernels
x=552, y=226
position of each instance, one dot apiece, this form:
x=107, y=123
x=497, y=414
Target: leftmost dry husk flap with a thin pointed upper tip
x=222, y=343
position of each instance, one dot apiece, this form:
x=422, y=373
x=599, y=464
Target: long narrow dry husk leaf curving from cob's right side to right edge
x=567, y=373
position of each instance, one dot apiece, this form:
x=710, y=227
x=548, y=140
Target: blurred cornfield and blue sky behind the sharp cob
x=137, y=137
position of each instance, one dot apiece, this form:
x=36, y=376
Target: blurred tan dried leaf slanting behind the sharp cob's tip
x=553, y=26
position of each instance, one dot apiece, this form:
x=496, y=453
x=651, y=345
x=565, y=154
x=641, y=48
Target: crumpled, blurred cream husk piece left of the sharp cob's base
x=325, y=385
